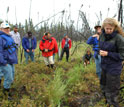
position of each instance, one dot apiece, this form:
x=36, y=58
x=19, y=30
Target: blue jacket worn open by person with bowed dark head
x=25, y=43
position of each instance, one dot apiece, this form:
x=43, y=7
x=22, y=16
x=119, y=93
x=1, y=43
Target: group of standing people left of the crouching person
x=9, y=44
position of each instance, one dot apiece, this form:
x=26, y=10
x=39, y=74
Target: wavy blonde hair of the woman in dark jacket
x=115, y=23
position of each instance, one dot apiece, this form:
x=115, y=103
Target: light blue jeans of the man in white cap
x=8, y=73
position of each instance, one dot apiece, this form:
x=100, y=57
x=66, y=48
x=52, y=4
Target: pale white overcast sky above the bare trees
x=42, y=9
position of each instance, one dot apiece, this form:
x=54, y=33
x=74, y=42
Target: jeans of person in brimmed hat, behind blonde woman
x=98, y=66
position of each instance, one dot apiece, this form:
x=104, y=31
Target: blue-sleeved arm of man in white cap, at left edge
x=2, y=60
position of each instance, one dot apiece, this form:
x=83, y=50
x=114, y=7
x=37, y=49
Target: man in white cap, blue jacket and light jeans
x=8, y=58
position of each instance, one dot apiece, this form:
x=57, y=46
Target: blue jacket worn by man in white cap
x=7, y=56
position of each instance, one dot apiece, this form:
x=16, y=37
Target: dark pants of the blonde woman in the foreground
x=110, y=85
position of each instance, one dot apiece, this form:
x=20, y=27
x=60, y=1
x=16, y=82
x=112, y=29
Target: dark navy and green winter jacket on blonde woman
x=114, y=44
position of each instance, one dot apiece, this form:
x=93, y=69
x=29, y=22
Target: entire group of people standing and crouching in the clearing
x=108, y=47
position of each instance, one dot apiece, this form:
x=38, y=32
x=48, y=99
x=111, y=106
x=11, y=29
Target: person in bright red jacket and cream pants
x=47, y=47
